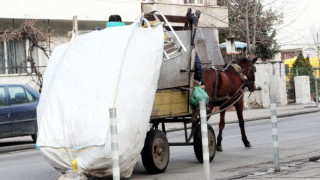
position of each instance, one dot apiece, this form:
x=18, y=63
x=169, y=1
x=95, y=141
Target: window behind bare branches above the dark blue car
x=13, y=57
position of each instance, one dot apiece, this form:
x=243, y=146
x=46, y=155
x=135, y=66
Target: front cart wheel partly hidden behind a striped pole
x=197, y=143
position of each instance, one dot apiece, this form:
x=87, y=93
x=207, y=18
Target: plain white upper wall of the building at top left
x=92, y=10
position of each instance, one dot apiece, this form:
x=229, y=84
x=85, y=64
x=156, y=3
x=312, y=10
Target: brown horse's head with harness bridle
x=248, y=69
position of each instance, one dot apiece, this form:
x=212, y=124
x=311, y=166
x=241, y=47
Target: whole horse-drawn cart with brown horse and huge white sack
x=73, y=144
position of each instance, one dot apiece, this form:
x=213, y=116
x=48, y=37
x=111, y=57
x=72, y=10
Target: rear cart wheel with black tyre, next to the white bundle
x=155, y=153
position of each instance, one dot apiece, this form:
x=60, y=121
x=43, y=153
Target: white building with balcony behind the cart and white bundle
x=58, y=14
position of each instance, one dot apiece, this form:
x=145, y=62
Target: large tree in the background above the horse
x=250, y=22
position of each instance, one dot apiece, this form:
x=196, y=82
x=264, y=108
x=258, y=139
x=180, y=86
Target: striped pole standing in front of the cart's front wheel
x=205, y=143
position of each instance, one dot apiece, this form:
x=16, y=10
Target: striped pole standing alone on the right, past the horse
x=275, y=135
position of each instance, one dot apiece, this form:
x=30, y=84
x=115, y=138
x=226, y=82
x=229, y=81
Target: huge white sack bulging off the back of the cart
x=79, y=87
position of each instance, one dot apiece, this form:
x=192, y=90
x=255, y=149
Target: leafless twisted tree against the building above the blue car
x=37, y=37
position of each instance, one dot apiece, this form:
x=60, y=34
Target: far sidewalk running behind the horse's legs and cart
x=255, y=114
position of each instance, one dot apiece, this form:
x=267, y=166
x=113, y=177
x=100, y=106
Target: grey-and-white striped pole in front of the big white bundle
x=114, y=144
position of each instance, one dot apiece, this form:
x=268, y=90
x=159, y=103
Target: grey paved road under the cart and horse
x=299, y=138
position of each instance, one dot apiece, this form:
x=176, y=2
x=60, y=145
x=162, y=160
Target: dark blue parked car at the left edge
x=18, y=110
